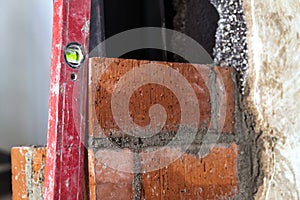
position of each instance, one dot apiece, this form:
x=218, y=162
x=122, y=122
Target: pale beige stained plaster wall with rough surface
x=274, y=92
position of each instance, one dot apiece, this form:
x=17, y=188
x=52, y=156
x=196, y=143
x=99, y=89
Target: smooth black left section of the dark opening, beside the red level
x=110, y=17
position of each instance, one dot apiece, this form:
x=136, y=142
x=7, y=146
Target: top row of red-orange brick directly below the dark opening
x=106, y=72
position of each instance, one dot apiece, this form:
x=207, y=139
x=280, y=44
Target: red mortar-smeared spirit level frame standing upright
x=67, y=104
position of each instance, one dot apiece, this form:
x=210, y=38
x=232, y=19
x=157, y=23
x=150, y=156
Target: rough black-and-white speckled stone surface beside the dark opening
x=231, y=41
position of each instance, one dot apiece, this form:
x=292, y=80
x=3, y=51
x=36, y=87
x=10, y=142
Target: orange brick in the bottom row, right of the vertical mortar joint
x=191, y=177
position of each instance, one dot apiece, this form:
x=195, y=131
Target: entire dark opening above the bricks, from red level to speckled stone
x=195, y=18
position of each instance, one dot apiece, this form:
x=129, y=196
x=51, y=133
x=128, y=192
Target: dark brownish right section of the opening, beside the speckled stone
x=197, y=19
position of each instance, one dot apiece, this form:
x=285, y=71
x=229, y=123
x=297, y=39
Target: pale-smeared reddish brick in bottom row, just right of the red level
x=109, y=181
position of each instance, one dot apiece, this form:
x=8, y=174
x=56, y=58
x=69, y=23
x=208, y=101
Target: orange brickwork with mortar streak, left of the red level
x=28, y=165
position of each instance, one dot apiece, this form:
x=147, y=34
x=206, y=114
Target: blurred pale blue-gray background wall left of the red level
x=25, y=51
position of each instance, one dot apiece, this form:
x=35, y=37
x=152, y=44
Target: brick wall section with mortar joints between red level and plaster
x=128, y=166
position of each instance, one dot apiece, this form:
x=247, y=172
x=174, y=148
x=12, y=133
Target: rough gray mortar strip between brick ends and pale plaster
x=248, y=162
